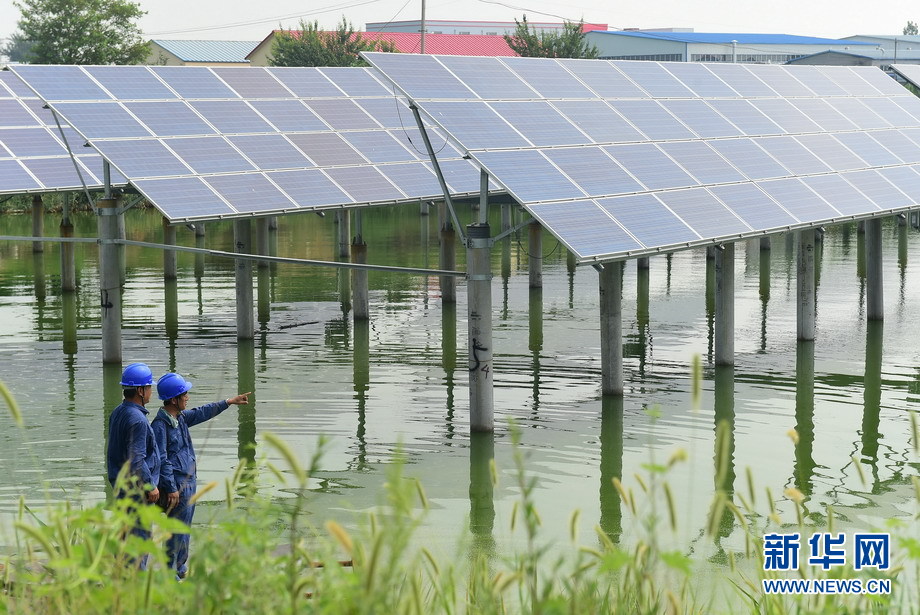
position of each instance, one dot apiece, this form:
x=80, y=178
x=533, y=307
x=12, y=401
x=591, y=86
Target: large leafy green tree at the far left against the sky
x=82, y=31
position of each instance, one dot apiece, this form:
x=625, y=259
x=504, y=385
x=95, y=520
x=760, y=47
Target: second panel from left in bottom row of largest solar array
x=648, y=220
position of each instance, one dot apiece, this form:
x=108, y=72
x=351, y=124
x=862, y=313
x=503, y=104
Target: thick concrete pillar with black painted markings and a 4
x=479, y=309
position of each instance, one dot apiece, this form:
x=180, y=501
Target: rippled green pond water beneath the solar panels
x=400, y=381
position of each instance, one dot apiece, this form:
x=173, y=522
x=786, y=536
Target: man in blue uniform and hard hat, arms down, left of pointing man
x=132, y=446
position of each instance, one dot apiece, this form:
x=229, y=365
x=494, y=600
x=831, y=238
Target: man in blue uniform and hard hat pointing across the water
x=178, y=472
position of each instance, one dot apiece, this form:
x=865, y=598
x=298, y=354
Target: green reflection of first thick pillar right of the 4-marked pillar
x=611, y=521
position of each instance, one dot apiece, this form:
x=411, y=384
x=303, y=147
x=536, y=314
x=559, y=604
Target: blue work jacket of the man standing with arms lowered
x=131, y=439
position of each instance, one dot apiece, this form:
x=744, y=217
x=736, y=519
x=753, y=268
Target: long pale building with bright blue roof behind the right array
x=677, y=46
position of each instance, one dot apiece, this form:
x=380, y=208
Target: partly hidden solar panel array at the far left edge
x=33, y=158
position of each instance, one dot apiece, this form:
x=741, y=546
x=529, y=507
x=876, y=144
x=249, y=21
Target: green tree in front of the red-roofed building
x=314, y=47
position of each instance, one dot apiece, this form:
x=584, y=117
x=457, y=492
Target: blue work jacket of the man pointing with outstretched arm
x=177, y=455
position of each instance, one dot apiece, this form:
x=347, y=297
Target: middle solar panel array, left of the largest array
x=205, y=143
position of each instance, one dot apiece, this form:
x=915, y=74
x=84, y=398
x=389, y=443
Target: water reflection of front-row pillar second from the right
x=804, y=416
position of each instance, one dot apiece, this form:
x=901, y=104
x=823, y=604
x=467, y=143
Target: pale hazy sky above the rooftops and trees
x=223, y=20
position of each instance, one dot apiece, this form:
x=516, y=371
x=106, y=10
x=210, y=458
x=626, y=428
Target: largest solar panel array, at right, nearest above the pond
x=618, y=158
